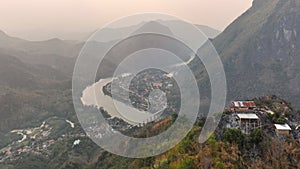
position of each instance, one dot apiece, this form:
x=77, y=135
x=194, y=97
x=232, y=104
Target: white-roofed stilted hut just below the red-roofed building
x=248, y=122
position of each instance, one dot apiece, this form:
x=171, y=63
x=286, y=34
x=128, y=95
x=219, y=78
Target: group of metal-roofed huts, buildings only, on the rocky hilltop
x=245, y=116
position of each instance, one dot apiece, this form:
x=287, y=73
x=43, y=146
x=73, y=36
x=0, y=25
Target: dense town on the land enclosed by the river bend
x=139, y=88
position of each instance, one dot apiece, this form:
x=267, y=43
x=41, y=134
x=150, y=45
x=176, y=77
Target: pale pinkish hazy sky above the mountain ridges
x=44, y=19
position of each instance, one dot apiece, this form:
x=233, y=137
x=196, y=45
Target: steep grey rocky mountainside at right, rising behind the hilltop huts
x=261, y=51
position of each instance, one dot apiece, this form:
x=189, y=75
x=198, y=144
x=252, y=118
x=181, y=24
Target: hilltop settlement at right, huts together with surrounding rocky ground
x=247, y=116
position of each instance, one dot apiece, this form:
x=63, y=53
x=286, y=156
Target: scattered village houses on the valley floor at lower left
x=38, y=140
